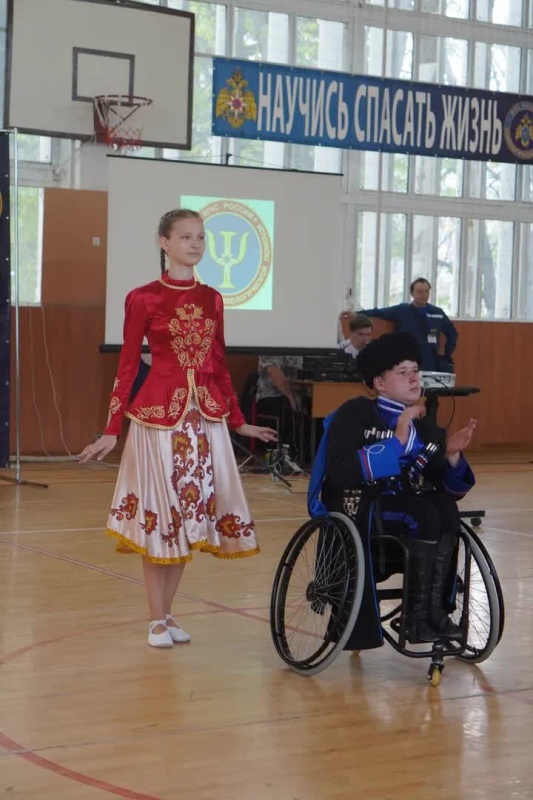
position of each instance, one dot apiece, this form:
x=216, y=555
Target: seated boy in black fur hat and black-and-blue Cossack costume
x=387, y=464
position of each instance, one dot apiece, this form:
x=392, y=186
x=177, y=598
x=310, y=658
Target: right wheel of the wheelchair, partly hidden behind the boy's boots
x=478, y=586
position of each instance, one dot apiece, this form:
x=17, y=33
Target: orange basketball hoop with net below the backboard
x=110, y=113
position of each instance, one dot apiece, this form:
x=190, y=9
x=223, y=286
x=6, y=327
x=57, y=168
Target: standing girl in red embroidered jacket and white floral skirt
x=178, y=488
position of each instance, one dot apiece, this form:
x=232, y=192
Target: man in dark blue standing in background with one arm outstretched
x=427, y=323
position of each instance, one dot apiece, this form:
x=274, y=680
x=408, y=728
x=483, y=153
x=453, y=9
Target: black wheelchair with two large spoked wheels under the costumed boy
x=318, y=590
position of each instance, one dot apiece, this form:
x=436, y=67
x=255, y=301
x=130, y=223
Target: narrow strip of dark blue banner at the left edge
x=5, y=300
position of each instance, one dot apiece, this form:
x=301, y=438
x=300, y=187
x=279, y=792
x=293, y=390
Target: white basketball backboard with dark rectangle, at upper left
x=61, y=53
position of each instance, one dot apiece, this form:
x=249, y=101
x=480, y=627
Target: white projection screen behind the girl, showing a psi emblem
x=272, y=245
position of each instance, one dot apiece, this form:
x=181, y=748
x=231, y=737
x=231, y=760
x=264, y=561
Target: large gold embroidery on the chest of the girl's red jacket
x=193, y=343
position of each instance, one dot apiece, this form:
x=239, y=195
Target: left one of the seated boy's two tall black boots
x=417, y=625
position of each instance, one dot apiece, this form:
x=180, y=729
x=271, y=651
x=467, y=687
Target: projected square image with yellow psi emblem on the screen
x=238, y=255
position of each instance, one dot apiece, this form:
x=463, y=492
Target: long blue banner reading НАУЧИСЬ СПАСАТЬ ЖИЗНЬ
x=314, y=107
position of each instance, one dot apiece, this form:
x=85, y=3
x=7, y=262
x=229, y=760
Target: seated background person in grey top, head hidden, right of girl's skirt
x=276, y=395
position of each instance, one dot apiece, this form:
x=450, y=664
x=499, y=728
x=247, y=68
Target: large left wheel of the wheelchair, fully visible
x=317, y=593
